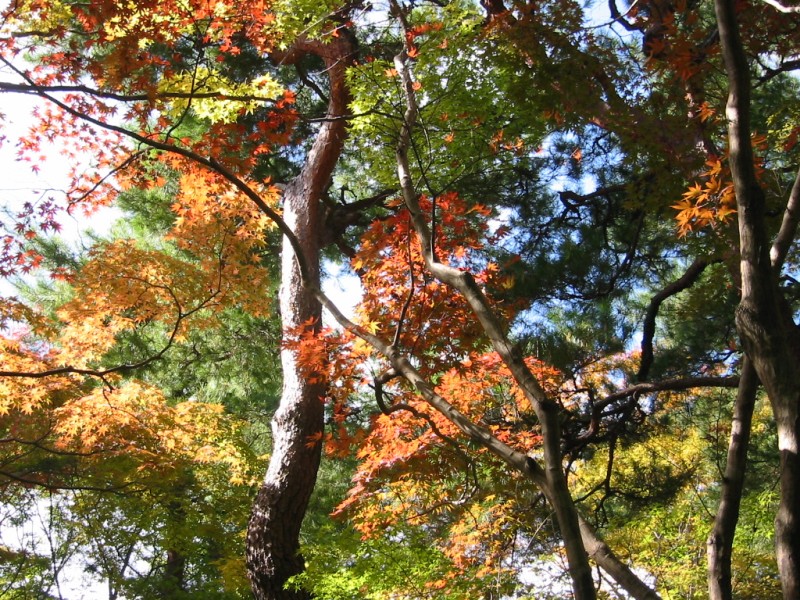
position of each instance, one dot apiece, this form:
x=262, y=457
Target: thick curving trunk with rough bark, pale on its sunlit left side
x=272, y=537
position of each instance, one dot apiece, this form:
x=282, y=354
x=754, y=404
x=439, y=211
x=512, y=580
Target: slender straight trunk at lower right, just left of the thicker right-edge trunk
x=720, y=541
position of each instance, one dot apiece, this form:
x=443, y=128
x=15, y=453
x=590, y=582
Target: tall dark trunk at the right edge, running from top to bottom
x=764, y=322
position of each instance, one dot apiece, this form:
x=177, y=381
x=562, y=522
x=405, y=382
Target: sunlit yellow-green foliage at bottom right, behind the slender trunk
x=658, y=505
